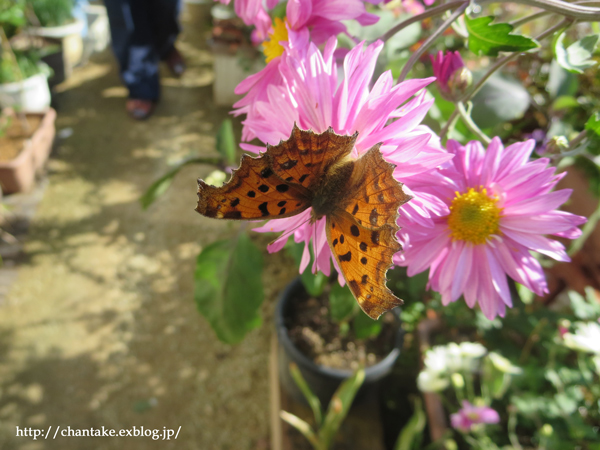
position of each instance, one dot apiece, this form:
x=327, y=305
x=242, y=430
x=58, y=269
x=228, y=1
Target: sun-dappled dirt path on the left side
x=100, y=329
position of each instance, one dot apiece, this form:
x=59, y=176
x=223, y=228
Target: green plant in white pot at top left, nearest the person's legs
x=53, y=20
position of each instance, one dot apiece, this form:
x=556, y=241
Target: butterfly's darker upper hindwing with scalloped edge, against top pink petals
x=306, y=157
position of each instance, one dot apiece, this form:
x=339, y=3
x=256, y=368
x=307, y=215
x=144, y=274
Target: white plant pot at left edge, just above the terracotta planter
x=31, y=94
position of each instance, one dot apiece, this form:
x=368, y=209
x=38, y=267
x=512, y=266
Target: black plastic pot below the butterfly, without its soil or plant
x=322, y=380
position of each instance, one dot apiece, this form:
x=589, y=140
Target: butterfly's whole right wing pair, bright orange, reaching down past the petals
x=362, y=232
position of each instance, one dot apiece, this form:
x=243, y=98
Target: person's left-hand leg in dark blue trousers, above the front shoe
x=132, y=32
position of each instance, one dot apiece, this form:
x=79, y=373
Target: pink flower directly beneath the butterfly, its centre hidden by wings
x=308, y=93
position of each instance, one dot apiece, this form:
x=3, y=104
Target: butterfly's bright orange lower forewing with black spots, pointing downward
x=364, y=256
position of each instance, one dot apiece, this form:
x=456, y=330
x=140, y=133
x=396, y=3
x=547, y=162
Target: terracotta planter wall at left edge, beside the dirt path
x=18, y=175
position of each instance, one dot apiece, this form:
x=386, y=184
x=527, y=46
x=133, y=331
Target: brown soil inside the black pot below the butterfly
x=312, y=331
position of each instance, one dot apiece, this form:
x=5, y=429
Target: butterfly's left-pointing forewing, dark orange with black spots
x=253, y=192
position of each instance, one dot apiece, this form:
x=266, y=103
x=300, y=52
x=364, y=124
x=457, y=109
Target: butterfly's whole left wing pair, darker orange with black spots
x=280, y=182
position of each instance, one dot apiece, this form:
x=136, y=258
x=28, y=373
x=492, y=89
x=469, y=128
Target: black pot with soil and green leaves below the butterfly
x=328, y=337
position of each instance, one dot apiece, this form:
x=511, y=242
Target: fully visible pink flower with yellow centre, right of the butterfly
x=498, y=207
